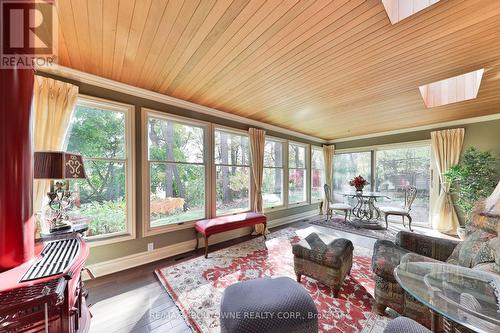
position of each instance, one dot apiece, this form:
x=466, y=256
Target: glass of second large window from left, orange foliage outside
x=176, y=163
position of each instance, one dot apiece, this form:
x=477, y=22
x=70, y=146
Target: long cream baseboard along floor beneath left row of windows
x=141, y=258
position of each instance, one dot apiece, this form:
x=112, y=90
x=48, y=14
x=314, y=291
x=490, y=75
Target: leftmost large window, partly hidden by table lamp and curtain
x=101, y=133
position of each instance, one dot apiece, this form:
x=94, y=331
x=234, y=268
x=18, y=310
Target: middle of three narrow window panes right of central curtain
x=297, y=173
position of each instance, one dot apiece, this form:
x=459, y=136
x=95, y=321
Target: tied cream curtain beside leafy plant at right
x=446, y=146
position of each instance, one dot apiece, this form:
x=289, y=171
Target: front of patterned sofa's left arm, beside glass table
x=386, y=256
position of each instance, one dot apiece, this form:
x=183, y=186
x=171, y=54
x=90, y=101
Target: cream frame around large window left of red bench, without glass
x=147, y=230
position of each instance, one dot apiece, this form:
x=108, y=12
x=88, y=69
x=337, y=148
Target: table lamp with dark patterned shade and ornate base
x=58, y=167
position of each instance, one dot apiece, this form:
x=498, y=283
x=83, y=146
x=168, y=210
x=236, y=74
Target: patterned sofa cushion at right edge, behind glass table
x=473, y=250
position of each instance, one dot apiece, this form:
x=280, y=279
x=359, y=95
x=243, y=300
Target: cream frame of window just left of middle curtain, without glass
x=235, y=131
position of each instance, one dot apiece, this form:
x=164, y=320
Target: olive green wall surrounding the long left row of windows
x=121, y=249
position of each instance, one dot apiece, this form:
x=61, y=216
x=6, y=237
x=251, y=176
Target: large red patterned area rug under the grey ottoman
x=197, y=285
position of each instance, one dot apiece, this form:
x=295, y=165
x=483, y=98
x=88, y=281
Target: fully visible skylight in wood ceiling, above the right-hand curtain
x=455, y=89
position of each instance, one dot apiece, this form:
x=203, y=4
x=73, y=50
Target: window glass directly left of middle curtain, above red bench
x=232, y=172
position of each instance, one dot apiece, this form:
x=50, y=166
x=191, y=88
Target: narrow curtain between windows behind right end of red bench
x=257, y=142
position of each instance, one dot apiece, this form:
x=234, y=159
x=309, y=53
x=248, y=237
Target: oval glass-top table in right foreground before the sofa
x=468, y=297
